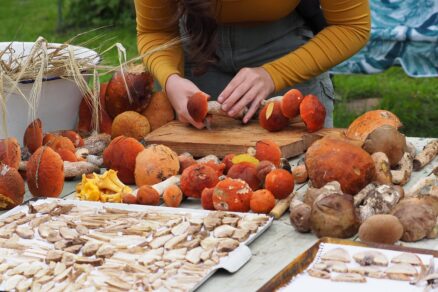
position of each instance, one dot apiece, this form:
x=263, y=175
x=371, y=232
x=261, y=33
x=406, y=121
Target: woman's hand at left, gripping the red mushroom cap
x=178, y=91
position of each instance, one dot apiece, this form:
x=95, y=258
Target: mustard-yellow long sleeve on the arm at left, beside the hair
x=154, y=29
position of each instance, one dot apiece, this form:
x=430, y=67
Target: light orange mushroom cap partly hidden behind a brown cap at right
x=361, y=127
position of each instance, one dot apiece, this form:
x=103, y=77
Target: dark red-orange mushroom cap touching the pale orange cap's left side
x=120, y=155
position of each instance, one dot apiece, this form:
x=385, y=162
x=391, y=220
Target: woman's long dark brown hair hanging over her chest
x=201, y=27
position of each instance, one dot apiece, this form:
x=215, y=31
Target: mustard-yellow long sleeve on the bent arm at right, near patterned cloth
x=348, y=31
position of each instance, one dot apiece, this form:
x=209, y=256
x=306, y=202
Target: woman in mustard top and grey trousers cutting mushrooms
x=244, y=51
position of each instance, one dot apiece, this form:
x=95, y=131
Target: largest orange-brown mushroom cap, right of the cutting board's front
x=331, y=159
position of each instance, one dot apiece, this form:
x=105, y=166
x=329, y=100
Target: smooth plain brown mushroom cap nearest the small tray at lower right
x=381, y=228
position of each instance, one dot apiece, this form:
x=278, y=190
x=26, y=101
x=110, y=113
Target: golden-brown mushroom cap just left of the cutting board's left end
x=130, y=124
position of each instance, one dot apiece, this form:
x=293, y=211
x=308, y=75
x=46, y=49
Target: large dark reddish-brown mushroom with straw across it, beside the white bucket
x=130, y=90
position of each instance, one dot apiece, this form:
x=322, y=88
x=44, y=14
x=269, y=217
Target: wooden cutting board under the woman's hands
x=231, y=136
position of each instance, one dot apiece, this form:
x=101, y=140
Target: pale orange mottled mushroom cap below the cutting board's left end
x=154, y=164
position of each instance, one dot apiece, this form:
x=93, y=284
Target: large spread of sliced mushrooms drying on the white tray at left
x=54, y=247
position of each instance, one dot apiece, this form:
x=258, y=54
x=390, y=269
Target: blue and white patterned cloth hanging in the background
x=404, y=32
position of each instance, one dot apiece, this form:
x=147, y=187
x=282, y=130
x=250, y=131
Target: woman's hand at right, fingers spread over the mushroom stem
x=249, y=86
